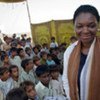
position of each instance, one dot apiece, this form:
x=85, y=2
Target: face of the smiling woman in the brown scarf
x=86, y=27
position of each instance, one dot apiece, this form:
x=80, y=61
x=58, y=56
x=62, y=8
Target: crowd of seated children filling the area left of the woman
x=28, y=73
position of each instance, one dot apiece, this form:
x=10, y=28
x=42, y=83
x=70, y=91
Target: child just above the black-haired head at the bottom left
x=14, y=73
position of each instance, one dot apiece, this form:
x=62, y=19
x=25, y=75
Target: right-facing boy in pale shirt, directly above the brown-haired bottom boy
x=27, y=73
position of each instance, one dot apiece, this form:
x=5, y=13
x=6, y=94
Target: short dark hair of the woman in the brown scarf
x=86, y=9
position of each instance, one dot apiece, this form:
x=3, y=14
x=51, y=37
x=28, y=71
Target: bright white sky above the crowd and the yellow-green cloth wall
x=14, y=18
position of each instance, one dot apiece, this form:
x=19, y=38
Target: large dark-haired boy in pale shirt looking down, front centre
x=45, y=88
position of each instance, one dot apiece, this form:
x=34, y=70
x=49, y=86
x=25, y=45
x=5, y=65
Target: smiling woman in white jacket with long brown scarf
x=81, y=65
